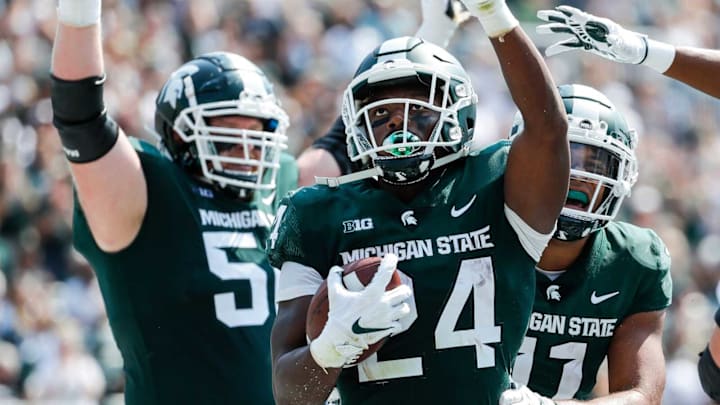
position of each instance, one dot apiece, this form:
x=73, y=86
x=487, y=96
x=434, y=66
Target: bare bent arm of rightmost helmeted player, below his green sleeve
x=635, y=357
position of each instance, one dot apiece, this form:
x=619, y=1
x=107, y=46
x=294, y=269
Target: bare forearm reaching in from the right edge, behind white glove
x=697, y=68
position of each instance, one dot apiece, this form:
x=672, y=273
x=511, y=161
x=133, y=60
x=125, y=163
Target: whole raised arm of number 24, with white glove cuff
x=538, y=169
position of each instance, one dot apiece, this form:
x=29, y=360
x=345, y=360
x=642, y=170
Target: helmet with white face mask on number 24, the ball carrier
x=431, y=94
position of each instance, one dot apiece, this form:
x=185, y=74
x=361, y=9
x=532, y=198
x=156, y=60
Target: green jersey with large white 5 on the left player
x=191, y=300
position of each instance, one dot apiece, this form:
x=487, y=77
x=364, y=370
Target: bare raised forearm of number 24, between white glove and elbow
x=531, y=86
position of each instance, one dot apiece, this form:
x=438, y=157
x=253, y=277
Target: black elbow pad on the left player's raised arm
x=86, y=131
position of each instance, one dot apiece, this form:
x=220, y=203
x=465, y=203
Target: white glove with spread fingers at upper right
x=603, y=37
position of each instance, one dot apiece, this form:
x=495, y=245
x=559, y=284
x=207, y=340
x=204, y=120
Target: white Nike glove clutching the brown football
x=357, y=319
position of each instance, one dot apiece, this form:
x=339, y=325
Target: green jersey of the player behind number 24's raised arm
x=624, y=270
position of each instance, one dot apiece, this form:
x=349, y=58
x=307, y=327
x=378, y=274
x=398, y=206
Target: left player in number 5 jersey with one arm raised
x=176, y=232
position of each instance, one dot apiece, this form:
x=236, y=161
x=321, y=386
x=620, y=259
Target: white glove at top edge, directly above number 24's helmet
x=440, y=18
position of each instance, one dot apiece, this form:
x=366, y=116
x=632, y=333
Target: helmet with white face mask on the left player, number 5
x=192, y=120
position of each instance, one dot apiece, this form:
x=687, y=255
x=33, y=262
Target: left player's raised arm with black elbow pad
x=106, y=170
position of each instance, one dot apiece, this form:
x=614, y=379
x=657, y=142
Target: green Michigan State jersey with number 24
x=473, y=282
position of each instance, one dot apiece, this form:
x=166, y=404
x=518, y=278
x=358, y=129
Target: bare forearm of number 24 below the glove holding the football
x=297, y=379
